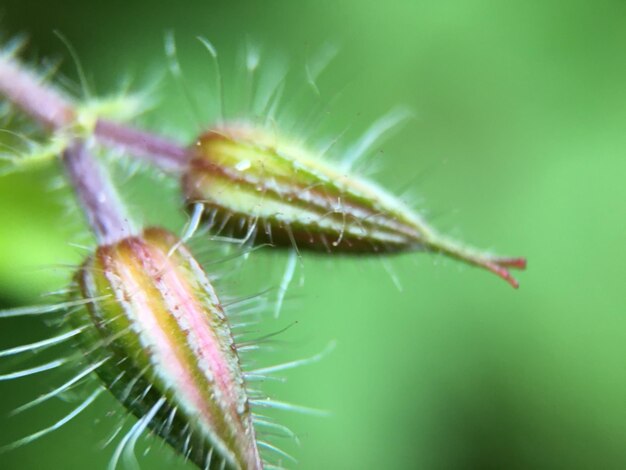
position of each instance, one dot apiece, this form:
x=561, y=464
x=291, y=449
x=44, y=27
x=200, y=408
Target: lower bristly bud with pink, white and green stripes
x=166, y=348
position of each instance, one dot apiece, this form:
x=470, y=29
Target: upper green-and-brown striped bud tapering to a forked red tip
x=265, y=189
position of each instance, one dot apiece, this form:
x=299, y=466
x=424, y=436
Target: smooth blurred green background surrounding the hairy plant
x=519, y=145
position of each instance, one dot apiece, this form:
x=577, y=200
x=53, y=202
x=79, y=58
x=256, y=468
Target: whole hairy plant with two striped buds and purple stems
x=144, y=319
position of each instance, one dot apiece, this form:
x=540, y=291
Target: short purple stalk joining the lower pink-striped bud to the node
x=98, y=198
